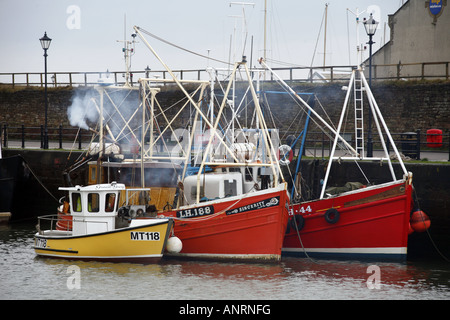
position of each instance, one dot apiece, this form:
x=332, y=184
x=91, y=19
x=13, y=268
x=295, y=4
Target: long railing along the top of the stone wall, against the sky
x=399, y=71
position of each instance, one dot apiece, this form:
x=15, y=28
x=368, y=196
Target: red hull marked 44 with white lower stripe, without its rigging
x=372, y=222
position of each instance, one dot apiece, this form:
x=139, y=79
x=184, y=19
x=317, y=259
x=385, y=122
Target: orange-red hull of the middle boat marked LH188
x=248, y=227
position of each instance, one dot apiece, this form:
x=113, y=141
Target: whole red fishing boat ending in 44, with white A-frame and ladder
x=357, y=221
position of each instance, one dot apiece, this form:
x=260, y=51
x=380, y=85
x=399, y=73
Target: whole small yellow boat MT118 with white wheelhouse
x=101, y=226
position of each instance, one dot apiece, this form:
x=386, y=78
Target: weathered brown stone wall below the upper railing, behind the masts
x=406, y=106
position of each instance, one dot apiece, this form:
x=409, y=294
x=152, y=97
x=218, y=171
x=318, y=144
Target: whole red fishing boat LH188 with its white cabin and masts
x=235, y=206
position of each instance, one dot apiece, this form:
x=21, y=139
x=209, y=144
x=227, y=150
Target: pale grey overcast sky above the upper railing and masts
x=85, y=32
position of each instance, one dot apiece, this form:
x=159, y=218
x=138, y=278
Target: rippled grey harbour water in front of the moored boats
x=26, y=276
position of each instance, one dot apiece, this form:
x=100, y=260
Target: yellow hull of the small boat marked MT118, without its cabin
x=144, y=243
